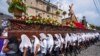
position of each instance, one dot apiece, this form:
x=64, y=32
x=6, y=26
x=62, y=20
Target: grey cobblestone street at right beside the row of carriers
x=94, y=50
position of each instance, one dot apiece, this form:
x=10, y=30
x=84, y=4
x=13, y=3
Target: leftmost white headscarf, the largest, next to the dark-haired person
x=25, y=42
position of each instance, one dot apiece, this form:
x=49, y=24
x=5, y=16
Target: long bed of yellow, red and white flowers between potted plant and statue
x=44, y=21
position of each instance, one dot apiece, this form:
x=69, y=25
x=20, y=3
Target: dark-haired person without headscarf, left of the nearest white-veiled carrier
x=11, y=46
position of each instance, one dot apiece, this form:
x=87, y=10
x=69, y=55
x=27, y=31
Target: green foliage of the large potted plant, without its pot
x=17, y=4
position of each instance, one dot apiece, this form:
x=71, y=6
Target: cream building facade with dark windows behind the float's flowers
x=42, y=8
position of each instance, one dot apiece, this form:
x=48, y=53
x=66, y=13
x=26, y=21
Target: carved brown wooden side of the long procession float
x=18, y=27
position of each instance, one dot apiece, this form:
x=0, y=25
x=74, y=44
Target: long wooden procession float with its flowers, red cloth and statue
x=35, y=25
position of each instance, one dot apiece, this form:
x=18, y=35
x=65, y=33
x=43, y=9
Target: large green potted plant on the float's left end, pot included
x=17, y=7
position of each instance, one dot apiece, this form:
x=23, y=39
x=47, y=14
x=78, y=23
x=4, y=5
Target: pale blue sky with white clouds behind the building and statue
x=81, y=8
